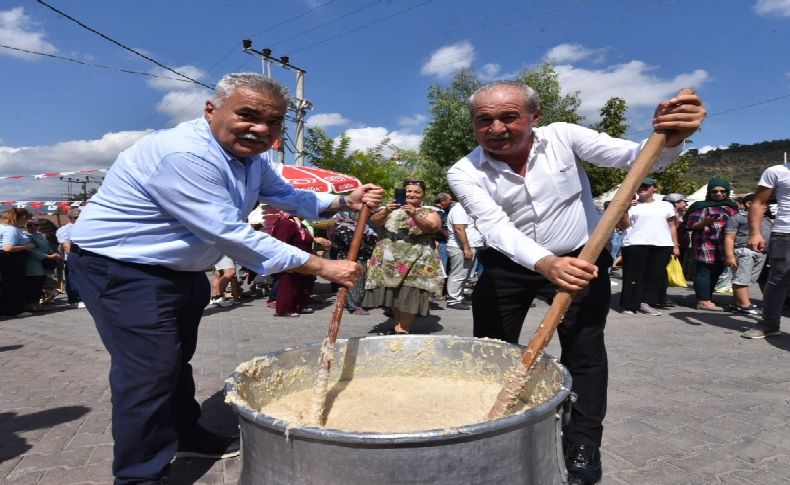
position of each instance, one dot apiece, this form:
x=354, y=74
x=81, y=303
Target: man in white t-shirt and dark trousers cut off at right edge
x=774, y=180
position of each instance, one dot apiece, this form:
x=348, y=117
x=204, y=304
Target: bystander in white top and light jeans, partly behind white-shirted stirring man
x=462, y=244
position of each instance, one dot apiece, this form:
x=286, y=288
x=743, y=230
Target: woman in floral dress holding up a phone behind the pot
x=404, y=270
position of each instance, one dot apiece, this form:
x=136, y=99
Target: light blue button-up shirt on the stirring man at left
x=176, y=198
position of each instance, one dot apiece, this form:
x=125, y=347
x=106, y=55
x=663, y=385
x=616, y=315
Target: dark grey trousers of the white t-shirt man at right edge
x=778, y=279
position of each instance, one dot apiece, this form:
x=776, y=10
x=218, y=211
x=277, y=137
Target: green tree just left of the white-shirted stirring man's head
x=449, y=136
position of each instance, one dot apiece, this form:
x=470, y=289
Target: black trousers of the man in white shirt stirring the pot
x=501, y=300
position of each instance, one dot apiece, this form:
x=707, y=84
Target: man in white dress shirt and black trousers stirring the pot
x=527, y=191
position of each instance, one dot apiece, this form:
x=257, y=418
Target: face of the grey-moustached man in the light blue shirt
x=247, y=122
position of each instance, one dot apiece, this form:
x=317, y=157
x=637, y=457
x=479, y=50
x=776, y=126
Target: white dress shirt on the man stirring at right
x=550, y=210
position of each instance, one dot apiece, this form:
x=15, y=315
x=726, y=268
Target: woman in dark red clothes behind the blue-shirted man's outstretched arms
x=293, y=289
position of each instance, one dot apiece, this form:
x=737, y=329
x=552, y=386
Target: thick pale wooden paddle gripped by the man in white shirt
x=592, y=249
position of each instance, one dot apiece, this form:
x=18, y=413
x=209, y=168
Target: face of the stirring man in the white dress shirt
x=502, y=124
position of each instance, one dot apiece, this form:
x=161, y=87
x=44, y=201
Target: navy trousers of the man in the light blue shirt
x=147, y=317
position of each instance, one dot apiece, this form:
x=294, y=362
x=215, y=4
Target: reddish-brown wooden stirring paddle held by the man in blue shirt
x=318, y=400
